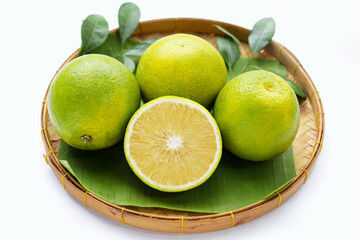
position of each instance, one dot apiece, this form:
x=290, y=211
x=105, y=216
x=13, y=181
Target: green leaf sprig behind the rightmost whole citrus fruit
x=260, y=36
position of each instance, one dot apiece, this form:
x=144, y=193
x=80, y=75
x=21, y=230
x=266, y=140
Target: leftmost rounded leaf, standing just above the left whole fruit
x=94, y=31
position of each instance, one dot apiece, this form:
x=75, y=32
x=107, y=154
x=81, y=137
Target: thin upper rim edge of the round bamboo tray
x=55, y=164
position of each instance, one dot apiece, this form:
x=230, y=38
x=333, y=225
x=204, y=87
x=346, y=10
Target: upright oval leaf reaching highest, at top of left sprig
x=128, y=17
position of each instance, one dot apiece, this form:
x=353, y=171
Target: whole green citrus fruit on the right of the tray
x=258, y=115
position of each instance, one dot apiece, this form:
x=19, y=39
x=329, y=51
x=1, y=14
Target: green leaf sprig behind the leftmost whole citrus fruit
x=96, y=38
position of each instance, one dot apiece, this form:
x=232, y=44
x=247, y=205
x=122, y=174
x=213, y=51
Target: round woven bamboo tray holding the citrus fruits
x=307, y=145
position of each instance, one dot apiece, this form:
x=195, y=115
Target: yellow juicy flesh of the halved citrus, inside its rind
x=173, y=143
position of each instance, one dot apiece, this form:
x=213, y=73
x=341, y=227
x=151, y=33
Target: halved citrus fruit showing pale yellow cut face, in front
x=173, y=144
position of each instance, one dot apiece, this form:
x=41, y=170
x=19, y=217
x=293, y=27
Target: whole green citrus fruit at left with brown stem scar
x=93, y=96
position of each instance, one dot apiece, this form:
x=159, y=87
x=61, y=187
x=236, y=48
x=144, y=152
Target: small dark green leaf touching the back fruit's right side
x=228, y=49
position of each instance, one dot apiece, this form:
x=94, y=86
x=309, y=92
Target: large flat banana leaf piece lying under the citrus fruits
x=236, y=183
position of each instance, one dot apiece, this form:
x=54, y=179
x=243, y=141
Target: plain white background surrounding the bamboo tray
x=37, y=36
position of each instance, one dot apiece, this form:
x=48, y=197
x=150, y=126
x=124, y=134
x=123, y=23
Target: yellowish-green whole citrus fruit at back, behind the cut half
x=181, y=65
